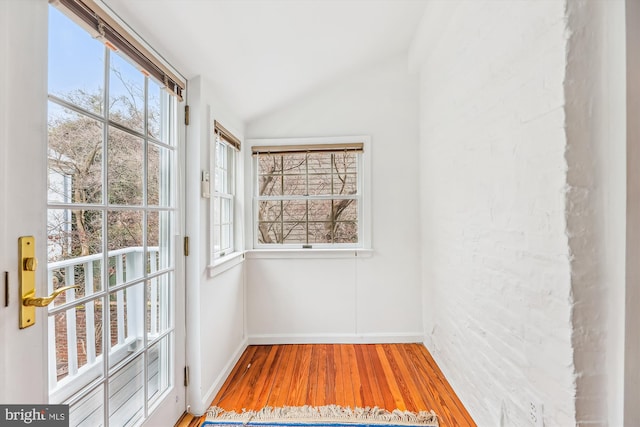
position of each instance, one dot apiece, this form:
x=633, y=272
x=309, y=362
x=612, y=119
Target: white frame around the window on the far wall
x=363, y=196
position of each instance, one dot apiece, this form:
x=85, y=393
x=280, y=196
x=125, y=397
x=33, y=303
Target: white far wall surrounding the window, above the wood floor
x=374, y=298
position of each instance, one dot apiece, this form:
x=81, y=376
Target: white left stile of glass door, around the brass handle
x=23, y=137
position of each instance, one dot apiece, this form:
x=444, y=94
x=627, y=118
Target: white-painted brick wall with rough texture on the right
x=495, y=256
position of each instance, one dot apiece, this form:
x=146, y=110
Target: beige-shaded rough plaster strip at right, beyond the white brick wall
x=596, y=210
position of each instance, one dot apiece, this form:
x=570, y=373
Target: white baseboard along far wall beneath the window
x=397, y=338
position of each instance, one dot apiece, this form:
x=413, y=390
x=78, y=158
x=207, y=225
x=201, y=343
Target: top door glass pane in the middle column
x=126, y=94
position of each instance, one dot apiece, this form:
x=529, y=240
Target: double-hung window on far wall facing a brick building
x=309, y=194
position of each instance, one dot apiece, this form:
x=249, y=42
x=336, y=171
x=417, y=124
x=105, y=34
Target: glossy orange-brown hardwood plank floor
x=389, y=376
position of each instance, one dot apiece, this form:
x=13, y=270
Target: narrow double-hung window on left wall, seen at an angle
x=225, y=147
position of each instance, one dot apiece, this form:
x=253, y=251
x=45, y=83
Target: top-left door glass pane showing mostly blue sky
x=79, y=82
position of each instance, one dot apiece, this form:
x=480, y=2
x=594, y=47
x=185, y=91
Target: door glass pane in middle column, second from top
x=125, y=160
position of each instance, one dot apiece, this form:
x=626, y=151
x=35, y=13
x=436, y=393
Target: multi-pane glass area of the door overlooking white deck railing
x=112, y=162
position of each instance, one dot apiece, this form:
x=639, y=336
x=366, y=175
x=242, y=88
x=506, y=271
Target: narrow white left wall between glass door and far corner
x=215, y=304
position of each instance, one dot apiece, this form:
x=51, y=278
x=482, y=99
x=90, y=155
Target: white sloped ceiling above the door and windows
x=261, y=54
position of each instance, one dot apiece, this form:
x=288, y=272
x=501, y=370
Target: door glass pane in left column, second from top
x=74, y=157
